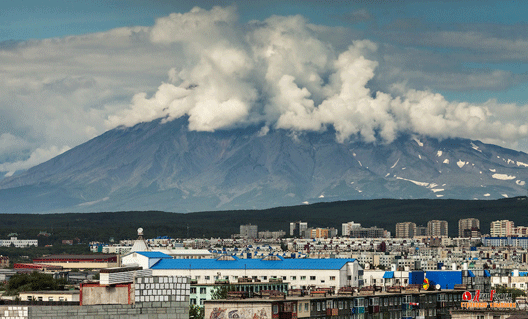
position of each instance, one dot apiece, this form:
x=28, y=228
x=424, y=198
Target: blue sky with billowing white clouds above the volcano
x=63, y=84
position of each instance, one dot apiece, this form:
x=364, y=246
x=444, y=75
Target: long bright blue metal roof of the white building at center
x=305, y=264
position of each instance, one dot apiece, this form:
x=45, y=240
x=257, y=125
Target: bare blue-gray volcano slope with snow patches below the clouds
x=166, y=167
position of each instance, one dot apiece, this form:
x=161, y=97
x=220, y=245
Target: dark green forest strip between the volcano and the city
x=383, y=213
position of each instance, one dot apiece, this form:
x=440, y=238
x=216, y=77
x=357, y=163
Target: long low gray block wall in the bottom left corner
x=144, y=310
